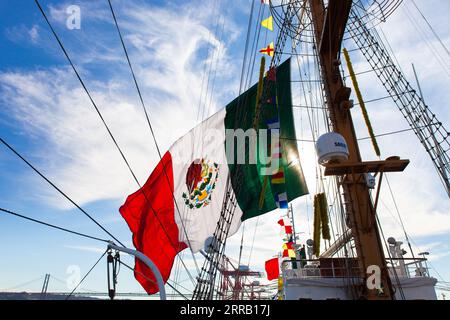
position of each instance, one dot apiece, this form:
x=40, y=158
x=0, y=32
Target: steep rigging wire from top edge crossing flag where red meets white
x=149, y=125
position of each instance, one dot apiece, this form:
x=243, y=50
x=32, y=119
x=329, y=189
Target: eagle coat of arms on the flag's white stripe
x=201, y=179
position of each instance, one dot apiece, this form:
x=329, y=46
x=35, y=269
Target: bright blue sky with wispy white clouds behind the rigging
x=45, y=114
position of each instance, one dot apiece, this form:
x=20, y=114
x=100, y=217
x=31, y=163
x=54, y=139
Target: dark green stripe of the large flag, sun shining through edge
x=246, y=179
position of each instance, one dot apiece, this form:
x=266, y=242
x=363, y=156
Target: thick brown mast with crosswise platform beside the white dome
x=329, y=28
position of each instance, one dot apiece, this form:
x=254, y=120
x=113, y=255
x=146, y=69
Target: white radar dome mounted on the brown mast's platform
x=331, y=147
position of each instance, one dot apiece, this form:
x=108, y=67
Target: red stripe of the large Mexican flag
x=149, y=213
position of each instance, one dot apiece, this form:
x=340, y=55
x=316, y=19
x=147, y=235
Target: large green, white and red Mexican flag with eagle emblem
x=181, y=202
